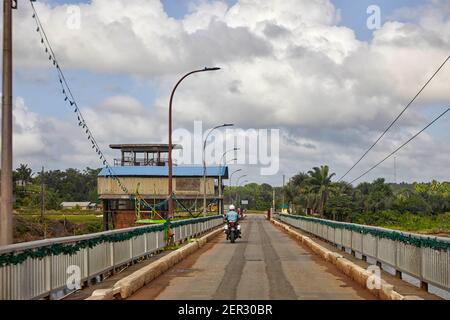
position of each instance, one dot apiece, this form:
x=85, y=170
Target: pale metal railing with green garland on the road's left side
x=26, y=274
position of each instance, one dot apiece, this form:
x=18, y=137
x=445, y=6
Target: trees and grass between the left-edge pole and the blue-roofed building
x=59, y=186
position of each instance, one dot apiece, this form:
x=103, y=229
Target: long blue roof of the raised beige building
x=159, y=171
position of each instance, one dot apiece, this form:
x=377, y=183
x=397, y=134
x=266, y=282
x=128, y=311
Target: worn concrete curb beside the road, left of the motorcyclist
x=125, y=287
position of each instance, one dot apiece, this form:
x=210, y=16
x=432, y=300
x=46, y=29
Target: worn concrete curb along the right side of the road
x=360, y=275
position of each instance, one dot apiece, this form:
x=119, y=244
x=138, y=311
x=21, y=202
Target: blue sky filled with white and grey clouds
x=310, y=68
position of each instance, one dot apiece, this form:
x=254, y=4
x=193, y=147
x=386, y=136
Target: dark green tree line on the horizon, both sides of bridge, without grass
x=312, y=191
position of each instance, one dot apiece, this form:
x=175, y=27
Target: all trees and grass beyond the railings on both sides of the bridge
x=415, y=207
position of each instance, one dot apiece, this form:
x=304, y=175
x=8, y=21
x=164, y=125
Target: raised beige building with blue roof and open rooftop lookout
x=144, y=168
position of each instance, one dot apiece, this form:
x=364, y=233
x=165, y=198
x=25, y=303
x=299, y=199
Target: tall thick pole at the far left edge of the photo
x=6, y=232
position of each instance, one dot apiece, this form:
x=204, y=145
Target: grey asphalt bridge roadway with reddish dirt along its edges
x=264, y=264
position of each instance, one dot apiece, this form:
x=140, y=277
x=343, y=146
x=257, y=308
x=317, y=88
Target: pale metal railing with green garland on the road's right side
x=426, y=258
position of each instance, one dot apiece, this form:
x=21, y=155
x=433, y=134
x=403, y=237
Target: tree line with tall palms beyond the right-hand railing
x=315, y=190
